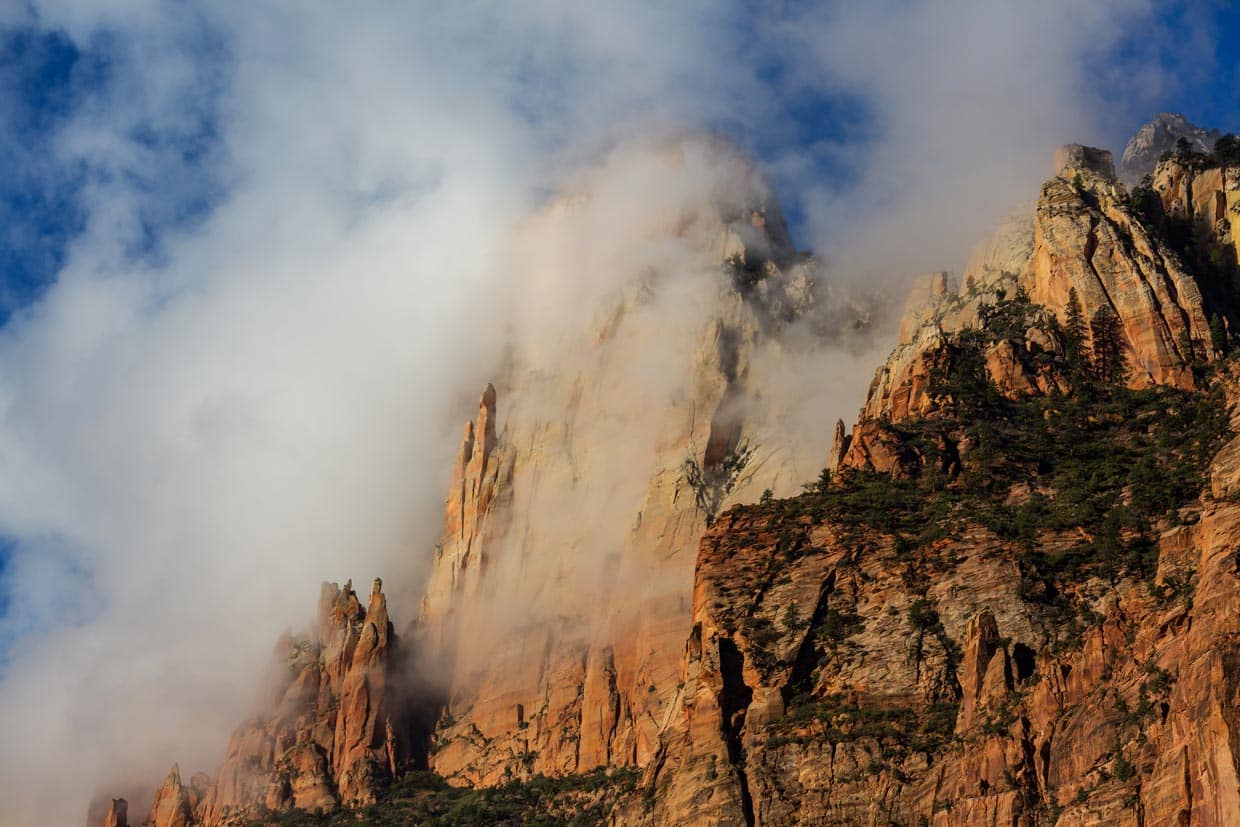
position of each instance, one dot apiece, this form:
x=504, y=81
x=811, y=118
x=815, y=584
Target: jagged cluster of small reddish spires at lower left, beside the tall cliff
x=327, y=736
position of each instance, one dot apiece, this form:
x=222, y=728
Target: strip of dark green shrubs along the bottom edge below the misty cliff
x=426, y=799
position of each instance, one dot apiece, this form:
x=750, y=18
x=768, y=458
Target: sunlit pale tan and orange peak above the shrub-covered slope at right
x=1084, y=239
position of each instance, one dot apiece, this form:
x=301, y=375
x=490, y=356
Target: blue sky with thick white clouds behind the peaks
x=252, y=273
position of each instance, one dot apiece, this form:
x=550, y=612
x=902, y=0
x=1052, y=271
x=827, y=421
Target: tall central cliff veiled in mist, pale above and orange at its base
x=561, y=590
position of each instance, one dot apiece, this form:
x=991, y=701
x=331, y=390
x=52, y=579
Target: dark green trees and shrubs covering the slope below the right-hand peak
x=1076, y=482
